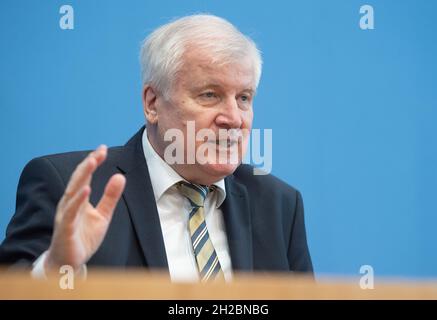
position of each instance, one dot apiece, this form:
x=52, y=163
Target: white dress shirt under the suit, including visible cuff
x=173, y=211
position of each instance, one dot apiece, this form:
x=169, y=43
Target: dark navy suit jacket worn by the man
x=263, y=216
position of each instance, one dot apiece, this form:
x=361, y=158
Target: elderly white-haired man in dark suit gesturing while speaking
x=130, y=207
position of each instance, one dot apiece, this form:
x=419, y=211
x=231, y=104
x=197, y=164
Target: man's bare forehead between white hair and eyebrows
x=199, y=68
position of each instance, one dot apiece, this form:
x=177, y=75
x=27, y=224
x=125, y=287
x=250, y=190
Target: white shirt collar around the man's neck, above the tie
x=163, y=177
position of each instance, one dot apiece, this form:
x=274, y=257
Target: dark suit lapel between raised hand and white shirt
x=140, y=200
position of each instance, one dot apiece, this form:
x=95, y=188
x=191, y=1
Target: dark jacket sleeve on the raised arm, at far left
x=29, y=232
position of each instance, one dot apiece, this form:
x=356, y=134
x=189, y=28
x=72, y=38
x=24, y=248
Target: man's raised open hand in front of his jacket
x=79, y=227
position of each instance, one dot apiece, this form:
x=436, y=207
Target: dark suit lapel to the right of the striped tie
x=236, y=214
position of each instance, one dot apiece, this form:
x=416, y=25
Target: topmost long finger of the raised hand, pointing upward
x=83, y=173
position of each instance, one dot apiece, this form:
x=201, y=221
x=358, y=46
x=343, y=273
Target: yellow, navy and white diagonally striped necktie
x=206, y=257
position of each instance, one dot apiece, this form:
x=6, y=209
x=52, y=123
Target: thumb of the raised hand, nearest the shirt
x=113, y=190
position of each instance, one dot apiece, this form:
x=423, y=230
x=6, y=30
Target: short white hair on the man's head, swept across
x=162, y=51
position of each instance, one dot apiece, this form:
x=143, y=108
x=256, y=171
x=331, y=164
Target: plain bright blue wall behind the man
x=353, y=112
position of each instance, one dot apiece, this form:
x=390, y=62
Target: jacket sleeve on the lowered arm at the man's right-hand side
x=298, y=253
